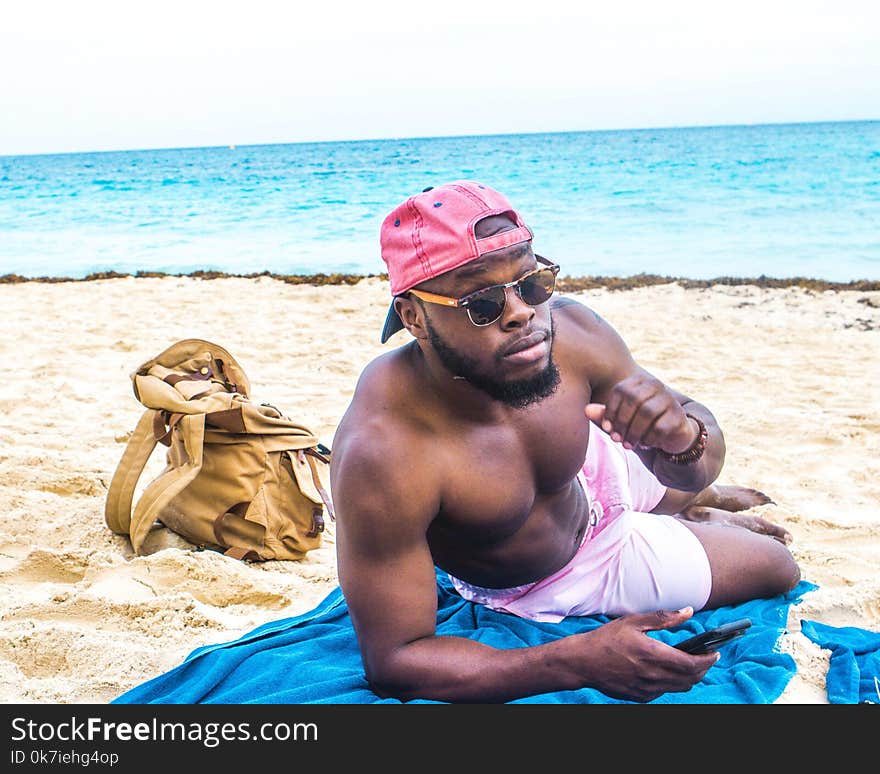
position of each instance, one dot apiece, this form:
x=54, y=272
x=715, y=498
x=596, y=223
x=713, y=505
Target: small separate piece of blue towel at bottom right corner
x=854, y=670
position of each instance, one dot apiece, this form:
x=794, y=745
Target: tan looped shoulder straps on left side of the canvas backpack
x=117, y=510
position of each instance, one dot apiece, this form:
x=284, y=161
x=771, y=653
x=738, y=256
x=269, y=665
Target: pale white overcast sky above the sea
x=101, y=75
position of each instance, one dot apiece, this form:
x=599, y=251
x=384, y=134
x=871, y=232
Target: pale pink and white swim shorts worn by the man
x=630, y=560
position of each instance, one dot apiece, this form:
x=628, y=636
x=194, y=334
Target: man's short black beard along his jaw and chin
x=517, y=394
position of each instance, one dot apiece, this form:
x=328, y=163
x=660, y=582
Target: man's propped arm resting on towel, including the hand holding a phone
x=384, y=504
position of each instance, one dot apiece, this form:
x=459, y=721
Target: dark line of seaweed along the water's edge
x=564, y=285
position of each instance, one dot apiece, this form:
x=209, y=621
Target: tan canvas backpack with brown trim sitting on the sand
x=241, y=478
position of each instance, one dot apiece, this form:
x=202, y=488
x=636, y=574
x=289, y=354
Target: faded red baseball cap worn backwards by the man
x=433, y=232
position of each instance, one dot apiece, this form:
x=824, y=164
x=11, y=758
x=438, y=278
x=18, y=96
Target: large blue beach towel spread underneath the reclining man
x=313, y=658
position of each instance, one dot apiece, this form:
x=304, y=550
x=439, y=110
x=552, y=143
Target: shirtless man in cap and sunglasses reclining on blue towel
x=514, y=443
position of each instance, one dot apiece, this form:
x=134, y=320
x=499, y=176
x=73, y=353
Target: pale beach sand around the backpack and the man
x=791, y=375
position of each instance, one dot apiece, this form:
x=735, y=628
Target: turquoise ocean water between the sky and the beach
x=793, y=200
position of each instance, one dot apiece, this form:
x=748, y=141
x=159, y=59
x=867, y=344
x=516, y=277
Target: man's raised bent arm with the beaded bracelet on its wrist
x=638, y=410
